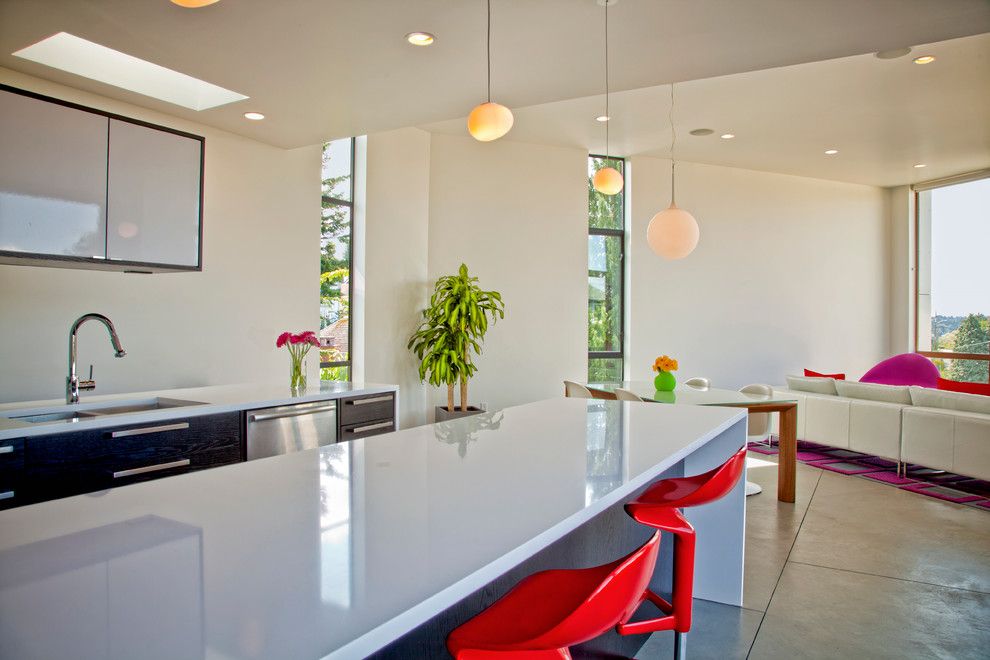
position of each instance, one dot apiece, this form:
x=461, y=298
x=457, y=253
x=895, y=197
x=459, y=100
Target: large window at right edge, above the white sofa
x=953, y=279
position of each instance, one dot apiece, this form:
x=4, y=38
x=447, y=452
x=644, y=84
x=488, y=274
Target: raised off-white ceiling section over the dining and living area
x=884, y=116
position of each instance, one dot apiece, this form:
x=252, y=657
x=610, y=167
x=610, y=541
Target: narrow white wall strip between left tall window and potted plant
x=395, y=248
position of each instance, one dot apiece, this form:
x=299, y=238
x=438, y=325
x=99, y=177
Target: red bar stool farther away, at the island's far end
x=658, y=507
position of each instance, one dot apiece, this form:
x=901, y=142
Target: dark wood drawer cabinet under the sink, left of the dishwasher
x=65, y=464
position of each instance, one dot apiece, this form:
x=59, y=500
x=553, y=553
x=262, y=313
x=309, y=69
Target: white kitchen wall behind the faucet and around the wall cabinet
x=260, y=254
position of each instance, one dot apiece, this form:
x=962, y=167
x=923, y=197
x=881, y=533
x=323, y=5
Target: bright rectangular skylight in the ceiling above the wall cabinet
x=91, y=60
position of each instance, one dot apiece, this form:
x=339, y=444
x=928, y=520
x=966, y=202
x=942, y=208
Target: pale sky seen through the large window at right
x=961, y=249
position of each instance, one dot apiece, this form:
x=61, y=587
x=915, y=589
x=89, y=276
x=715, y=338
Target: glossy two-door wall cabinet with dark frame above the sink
x=81, y=188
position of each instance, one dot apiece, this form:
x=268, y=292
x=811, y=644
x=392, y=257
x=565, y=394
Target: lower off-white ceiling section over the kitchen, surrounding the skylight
x=328, y=68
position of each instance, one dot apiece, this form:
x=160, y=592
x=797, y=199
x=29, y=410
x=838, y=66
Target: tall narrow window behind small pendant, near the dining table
x=606, y=238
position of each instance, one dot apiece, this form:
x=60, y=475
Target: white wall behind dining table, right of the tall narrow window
x=790, y=272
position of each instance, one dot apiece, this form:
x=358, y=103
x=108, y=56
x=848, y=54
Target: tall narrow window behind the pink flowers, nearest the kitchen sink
x=336, y=259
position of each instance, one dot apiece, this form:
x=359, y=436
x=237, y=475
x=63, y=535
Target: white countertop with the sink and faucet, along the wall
x=210, y=400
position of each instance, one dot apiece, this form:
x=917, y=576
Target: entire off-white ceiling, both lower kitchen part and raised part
x=321, y=69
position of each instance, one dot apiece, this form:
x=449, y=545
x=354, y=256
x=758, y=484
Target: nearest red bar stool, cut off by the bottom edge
x=550, y=611
